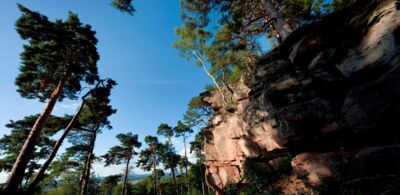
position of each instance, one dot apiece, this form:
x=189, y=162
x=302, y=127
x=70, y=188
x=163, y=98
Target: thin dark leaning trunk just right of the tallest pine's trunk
x=39, y=176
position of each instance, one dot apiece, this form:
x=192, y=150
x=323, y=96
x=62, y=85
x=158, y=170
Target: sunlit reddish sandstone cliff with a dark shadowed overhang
x=331, y=90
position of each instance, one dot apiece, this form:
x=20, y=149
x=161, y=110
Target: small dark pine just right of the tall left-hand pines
x=124, y=152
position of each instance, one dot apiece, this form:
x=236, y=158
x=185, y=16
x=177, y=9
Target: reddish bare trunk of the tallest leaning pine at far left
x=17, y=173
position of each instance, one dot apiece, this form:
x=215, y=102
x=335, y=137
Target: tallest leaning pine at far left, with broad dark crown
x=58, y=56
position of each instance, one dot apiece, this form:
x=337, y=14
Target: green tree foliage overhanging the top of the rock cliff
x=226, y=33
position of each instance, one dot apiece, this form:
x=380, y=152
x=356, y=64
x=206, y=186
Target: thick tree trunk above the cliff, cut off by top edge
x=281, y=26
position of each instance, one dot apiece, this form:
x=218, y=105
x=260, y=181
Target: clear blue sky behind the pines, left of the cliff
x=154, y=84
